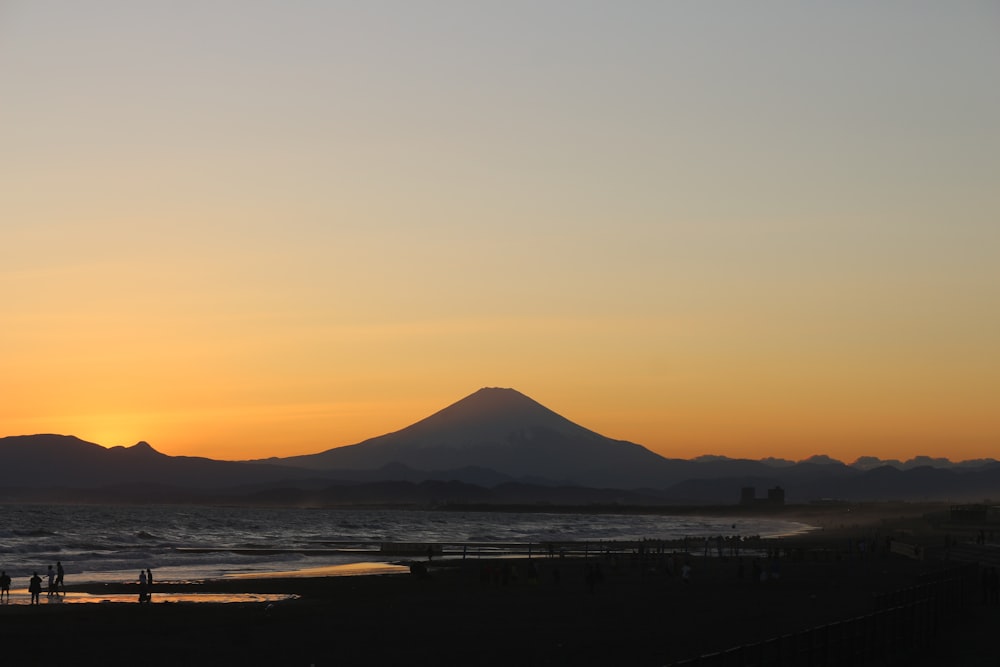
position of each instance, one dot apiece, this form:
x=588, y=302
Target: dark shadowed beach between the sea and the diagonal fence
x=471, y=614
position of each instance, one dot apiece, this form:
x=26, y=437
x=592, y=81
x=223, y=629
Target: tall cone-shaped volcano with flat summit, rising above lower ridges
x=502, y=430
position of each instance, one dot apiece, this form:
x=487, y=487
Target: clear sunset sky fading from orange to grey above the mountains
x=242, y=229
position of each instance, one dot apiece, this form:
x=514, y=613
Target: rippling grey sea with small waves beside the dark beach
x=188, y=543
